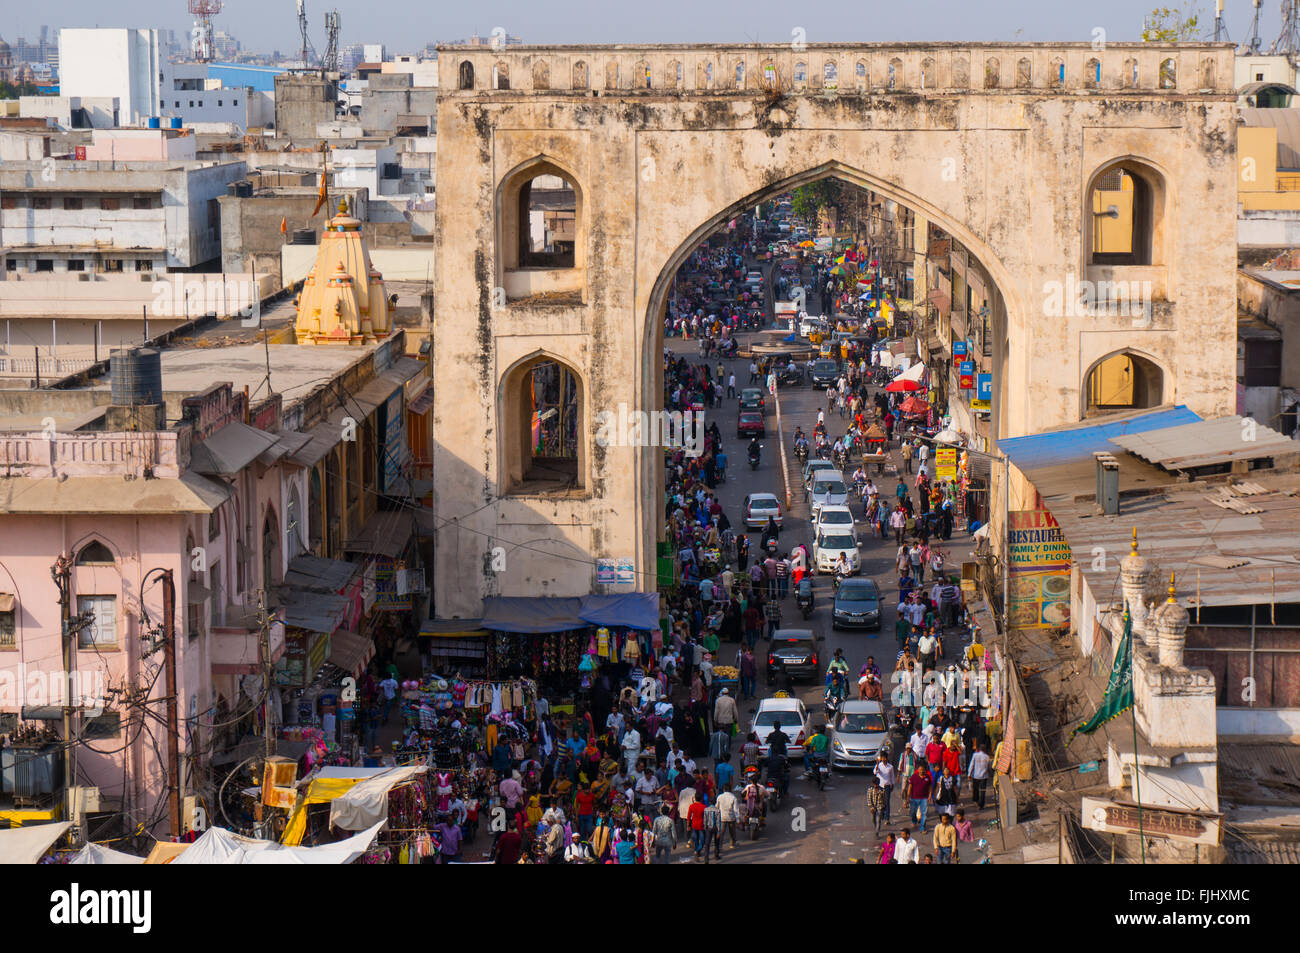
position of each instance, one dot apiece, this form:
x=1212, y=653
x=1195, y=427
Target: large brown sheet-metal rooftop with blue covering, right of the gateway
x=1232, y=540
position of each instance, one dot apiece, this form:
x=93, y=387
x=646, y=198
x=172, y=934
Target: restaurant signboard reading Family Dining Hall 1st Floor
x=1039, y=590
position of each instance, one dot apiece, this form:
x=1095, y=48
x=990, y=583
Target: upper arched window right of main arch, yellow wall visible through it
x=1126, y=210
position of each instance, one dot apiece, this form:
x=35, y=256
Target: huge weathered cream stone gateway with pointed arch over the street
x=1000, y=146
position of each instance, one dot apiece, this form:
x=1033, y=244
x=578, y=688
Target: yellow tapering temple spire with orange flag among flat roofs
x=344, y=301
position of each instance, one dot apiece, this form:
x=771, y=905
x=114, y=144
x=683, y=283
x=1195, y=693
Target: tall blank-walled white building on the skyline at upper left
x=123, y=63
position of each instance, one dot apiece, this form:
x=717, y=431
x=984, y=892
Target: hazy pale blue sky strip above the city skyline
x=408, y=25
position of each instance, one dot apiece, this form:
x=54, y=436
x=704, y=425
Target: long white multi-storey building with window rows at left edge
x=112, y=216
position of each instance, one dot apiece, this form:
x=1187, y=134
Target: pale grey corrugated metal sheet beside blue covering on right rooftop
x=1207, y=443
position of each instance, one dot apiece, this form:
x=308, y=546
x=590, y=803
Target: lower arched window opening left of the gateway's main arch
x=543, y=423
